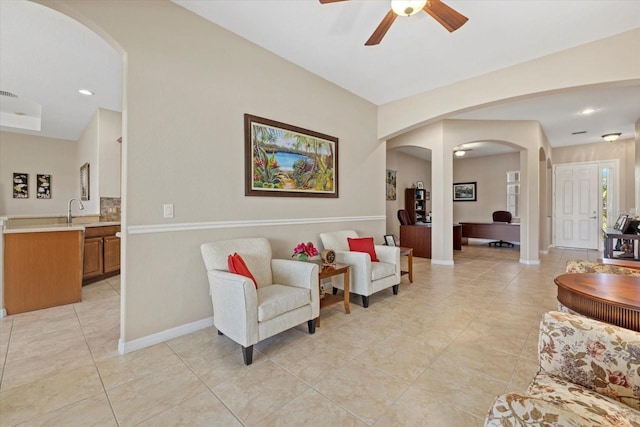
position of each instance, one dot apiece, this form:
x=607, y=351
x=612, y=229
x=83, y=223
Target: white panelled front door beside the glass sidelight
x=576, y=216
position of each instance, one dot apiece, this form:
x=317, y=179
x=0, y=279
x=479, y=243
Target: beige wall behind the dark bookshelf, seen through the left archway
x=410, y=169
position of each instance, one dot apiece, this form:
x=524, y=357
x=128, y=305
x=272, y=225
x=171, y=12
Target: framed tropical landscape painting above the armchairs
x=288, y=161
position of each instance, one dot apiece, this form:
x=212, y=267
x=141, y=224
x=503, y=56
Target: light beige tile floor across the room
x=436, y=354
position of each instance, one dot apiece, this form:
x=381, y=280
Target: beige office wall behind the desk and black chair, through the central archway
x=490, y=173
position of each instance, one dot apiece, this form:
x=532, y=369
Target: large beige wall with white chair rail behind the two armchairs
x=188, y=84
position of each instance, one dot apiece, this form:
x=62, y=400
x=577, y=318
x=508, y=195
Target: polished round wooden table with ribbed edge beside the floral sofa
x=610, y=298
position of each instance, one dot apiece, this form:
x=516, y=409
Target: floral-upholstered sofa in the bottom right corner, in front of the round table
x=589, y=376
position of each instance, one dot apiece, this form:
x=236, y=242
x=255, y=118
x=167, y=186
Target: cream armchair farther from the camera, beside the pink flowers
x=367, y=277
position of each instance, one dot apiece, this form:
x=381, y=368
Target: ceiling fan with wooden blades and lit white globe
x=446, y=16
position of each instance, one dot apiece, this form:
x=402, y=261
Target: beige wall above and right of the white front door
x=624, y=150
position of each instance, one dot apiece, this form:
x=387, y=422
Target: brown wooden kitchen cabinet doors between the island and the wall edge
x=101, y=253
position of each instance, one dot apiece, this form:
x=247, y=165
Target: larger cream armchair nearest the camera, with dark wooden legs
x=287, y=293
